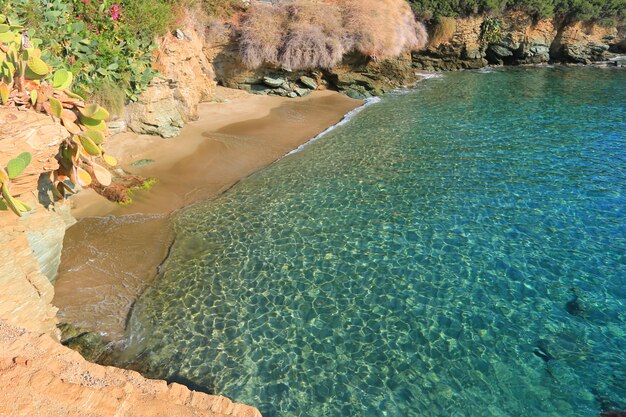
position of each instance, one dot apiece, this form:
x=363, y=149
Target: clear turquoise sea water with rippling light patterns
x=455, y=250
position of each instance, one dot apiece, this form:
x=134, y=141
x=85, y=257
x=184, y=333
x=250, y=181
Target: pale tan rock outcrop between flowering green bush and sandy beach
x=185, y=80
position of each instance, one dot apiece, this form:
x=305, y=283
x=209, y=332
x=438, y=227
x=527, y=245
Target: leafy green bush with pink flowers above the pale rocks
x=92, y=39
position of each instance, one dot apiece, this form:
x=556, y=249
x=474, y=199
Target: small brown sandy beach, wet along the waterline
x=112, y=254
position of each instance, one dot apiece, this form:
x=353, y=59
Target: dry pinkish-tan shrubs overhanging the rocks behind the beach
x=310, y=34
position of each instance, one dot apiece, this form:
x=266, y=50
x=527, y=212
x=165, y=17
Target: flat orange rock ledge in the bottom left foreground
x=41, y=377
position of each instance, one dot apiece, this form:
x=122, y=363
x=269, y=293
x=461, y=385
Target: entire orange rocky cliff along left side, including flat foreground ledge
x=38, y=375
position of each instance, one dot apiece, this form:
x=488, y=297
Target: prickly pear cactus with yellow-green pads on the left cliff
x=27, y=82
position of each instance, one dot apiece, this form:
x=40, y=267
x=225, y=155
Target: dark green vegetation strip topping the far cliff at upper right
x=602, y=10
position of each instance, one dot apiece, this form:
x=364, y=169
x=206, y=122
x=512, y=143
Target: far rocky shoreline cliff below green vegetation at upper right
x=523, y=41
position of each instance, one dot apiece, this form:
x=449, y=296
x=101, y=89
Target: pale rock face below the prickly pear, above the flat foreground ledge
x=31, y=246
